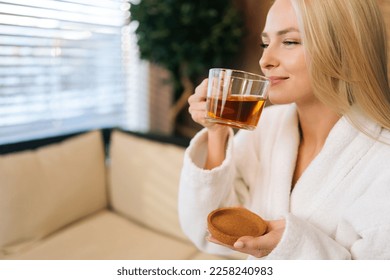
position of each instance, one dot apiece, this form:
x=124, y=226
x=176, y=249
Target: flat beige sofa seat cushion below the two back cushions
x=107, y=236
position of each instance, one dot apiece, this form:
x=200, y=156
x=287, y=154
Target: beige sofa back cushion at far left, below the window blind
x=45, y=189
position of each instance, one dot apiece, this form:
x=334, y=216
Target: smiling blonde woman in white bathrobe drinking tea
x=316, y=167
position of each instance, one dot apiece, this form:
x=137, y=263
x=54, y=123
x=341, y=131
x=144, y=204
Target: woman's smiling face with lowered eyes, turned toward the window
x=283, y=60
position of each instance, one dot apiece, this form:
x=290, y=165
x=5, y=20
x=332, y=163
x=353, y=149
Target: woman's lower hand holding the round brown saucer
x=258, y=246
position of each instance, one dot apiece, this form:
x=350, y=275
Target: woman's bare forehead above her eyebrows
x=281, y=16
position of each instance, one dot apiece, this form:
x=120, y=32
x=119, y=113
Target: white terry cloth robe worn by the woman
x=338, y=209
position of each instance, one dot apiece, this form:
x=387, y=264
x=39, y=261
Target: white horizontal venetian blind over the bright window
x=65, y=66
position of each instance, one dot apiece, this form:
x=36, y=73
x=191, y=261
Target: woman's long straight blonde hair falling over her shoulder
x=347, y=55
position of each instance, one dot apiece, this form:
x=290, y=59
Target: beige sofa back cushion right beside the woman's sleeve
x=144, y=180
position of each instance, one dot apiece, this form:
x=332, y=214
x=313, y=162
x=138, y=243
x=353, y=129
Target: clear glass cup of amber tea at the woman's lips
x=235, y=98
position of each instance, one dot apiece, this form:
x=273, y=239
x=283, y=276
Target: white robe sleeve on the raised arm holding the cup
x=201, y=191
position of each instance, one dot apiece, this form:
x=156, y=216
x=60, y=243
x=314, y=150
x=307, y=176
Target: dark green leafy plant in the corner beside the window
x=187, y=37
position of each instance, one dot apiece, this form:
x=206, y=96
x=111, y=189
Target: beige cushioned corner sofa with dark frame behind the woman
x=86, y=197
